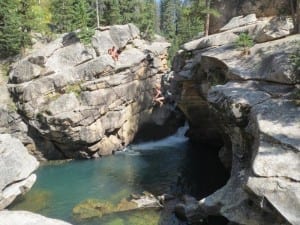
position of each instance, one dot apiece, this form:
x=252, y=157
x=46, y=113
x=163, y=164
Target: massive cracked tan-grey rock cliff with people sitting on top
x=78, y=101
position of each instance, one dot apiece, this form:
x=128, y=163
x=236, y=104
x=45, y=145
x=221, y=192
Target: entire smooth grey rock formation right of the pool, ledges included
x=252, y=101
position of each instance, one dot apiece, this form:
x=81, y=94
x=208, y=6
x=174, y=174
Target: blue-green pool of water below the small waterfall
x=152, y=167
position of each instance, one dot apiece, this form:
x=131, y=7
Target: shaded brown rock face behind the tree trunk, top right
x=233, y=8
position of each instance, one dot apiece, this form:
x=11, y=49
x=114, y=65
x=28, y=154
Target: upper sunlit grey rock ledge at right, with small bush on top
x=269, y=61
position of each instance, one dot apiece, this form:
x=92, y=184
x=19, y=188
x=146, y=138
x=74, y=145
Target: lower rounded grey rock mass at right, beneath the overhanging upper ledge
x=264, y=131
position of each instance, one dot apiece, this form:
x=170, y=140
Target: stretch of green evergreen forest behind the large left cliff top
x=177, y=20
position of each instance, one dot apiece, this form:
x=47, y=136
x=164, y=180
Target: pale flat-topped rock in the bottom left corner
x=25, y=218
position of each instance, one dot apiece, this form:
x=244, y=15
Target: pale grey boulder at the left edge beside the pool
x=16, y=169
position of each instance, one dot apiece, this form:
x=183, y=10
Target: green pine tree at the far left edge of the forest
x=10, y=33
